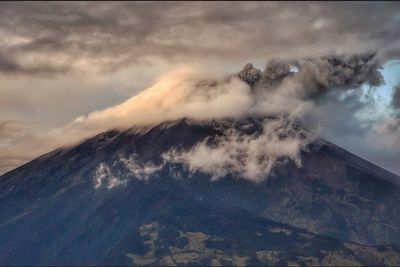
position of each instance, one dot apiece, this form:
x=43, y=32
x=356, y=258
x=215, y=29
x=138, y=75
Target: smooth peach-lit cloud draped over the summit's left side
x=182, y=93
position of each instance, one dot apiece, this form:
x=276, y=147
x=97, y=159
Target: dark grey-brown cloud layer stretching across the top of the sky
x=55, y=37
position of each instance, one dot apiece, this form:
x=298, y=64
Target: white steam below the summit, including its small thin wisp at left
x=242, y=155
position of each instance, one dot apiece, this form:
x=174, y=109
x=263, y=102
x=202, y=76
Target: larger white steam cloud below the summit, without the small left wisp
x=247, y=156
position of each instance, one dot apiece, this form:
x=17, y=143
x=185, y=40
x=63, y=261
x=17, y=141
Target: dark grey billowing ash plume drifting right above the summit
x=315, y=76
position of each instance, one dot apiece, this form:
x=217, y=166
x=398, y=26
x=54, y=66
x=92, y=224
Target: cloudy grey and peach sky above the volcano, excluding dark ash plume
x=69, y=70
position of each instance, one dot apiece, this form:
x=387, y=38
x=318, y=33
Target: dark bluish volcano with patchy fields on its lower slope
x=113, y=199
